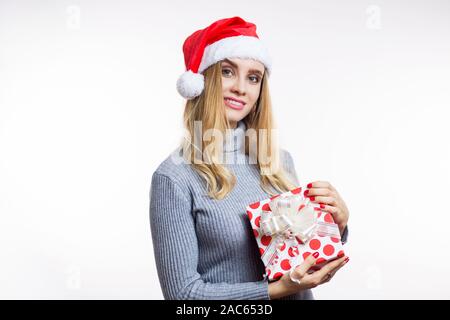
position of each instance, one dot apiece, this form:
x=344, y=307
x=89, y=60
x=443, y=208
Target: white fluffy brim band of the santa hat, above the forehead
x=244, y=47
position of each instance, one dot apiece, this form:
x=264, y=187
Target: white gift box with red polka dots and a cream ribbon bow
x=288, y=228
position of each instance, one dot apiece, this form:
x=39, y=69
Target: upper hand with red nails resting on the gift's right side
x=326, y=195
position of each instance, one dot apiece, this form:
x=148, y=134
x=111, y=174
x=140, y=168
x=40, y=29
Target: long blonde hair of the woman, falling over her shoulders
x=209, y=109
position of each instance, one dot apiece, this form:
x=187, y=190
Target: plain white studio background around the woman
x=88, y=109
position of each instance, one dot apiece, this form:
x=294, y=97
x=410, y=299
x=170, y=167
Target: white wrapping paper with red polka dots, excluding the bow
x=290, y=253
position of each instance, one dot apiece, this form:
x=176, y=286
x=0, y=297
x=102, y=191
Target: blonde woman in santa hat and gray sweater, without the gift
x=203, y=243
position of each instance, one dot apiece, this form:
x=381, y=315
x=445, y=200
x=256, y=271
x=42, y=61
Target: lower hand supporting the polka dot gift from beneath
x=287, y=285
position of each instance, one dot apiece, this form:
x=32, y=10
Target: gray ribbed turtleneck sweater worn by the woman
x=205, y=248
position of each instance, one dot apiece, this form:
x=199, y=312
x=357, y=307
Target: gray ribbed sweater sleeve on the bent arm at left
x=176, y=248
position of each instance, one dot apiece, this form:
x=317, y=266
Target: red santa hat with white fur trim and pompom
x=226, y=38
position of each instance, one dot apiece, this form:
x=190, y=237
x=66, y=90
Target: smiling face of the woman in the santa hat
x=241, y=84
